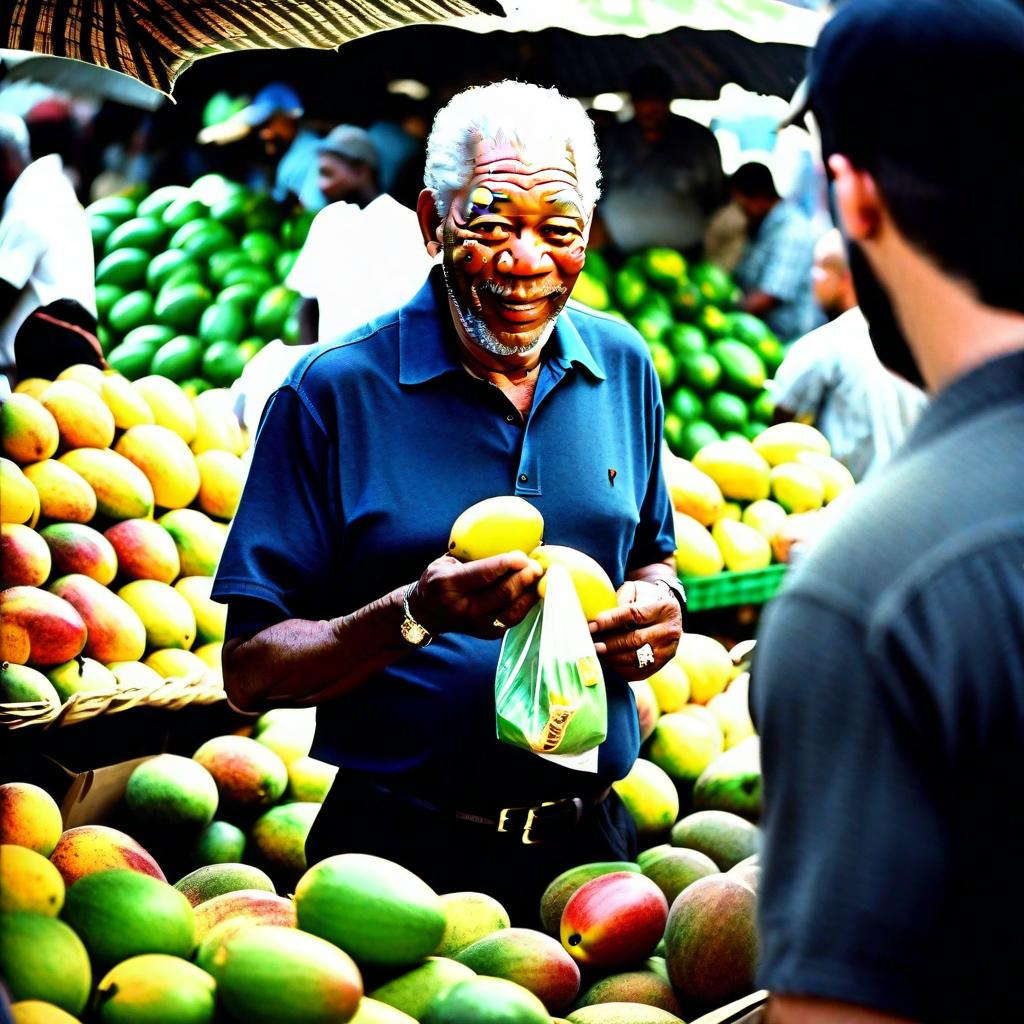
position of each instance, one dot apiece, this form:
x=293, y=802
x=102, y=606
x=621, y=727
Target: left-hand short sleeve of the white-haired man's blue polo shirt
x=281, y=548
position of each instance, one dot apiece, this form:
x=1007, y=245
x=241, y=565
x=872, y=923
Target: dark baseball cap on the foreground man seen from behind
x=930, y=86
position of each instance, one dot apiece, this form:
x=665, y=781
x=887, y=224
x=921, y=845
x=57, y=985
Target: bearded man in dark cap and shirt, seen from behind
x=889, y=677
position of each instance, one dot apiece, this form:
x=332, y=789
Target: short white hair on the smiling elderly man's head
x=530, y=116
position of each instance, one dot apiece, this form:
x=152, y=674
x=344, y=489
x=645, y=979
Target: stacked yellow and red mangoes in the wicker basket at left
x=115, y=499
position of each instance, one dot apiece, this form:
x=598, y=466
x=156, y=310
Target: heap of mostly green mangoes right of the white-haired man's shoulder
x=711, y=358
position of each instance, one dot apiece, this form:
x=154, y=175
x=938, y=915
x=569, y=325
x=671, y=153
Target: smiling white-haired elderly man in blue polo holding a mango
x=484, y=385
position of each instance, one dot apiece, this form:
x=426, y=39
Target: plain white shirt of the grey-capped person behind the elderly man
x=358, y=264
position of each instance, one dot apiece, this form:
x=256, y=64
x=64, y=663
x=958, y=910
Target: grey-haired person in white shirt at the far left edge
x=46, y=242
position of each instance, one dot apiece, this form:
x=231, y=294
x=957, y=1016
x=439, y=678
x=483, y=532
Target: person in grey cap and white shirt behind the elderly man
x=363, y=258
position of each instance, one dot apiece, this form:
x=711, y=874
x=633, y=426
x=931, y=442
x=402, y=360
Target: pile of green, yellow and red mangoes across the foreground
x=93, y=930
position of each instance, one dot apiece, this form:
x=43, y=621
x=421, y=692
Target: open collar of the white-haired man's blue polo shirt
x=426, y=337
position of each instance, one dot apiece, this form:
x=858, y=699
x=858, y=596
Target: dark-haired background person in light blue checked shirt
x=776, y=270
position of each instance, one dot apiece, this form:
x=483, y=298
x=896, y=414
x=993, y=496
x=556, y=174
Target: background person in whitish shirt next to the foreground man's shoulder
x=833, y=377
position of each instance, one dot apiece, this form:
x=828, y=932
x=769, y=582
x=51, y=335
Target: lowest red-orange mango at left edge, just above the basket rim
x=38, y=627
